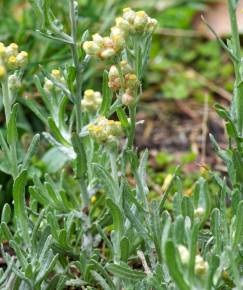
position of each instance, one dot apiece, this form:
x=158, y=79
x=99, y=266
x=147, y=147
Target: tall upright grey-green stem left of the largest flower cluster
x=74, y=49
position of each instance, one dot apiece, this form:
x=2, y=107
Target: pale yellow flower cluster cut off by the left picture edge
x=11, y=58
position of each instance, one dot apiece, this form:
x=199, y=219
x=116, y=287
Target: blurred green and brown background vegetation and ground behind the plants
x=188, y=73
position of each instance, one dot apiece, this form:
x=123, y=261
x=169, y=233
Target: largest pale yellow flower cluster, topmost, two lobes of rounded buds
x=130, y=22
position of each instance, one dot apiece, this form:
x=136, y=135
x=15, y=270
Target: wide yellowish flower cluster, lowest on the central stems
x=105, y=131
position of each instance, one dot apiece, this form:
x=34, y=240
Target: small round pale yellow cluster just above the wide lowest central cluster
x=91, y=101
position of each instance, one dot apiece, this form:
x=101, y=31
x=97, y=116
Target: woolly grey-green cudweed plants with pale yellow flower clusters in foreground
x=88, y=222
